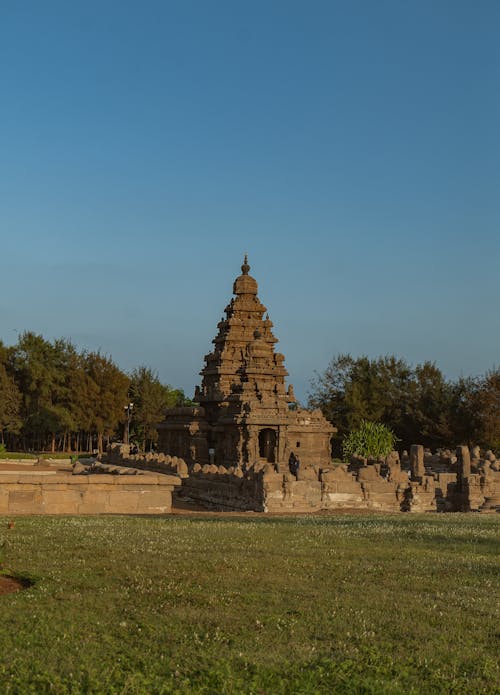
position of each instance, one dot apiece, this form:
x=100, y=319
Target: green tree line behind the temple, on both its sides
x=54, y=397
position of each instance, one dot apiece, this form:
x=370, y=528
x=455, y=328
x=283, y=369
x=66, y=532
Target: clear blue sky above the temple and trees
x=351, y=148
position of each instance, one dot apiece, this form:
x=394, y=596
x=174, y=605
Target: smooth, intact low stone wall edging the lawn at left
x=64, y=493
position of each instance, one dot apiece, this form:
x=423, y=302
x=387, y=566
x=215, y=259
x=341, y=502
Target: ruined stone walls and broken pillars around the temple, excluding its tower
x=418, y=482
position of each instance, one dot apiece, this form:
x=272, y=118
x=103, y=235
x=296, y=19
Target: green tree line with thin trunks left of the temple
x=54, y=397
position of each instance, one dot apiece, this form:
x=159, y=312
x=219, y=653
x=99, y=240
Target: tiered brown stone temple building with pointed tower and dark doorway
x=245, y=415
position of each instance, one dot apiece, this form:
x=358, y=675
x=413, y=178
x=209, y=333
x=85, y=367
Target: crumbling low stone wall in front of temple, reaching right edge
x=269, y=490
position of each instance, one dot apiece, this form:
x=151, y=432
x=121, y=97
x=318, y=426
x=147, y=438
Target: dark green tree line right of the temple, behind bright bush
x=418, y=403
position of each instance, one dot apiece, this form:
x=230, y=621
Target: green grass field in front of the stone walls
x=347, y=604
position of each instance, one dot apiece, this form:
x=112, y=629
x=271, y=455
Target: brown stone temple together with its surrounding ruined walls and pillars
x=232, y=448
